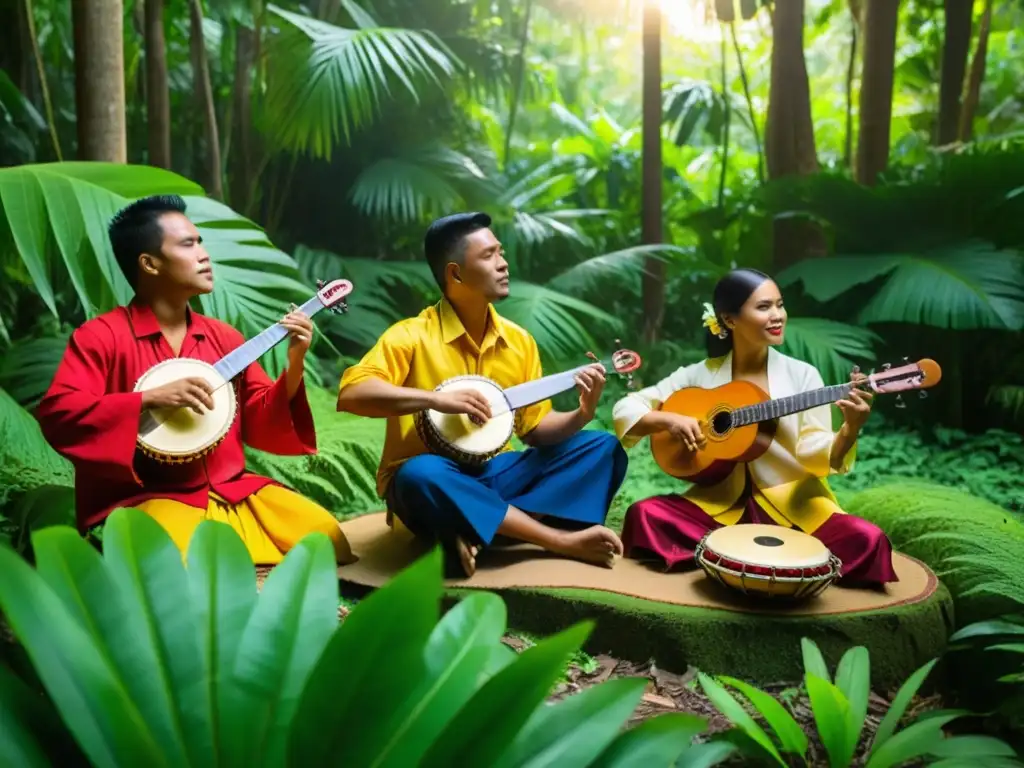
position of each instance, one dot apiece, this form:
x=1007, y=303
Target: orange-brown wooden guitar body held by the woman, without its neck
x=727, y=445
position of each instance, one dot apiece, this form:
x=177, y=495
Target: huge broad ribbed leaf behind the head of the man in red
x=57, y=217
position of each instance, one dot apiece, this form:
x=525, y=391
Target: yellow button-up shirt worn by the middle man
x=426, y=351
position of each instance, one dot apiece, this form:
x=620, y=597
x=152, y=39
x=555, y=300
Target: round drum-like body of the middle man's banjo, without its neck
x=456, y=438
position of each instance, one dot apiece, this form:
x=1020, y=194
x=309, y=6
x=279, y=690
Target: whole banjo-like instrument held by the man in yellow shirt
x=456, y=437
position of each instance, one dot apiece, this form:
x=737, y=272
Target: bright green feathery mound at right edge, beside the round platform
x=976, y=547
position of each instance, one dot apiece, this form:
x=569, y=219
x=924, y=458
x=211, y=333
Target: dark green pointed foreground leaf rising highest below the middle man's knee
x=380, y=649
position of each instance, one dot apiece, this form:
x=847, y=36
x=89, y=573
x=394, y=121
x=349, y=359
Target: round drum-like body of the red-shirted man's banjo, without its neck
x=179, y=436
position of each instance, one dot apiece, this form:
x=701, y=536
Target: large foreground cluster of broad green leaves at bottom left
x=214, y=663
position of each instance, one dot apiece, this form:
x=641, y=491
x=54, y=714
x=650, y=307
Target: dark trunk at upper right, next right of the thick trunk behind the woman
x=877, y=90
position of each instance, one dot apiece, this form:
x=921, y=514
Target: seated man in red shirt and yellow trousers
x=92, y=416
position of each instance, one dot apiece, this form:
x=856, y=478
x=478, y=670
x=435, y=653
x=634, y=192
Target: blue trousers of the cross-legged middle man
x=572, y=484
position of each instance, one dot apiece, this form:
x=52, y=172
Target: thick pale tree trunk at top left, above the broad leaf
x=100, y=80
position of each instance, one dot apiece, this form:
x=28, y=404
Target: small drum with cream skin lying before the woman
x=769, y=562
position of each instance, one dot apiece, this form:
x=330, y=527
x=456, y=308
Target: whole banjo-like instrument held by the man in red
x=179, y=436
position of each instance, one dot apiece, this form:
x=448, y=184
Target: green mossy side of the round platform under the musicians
x=758, y=648
